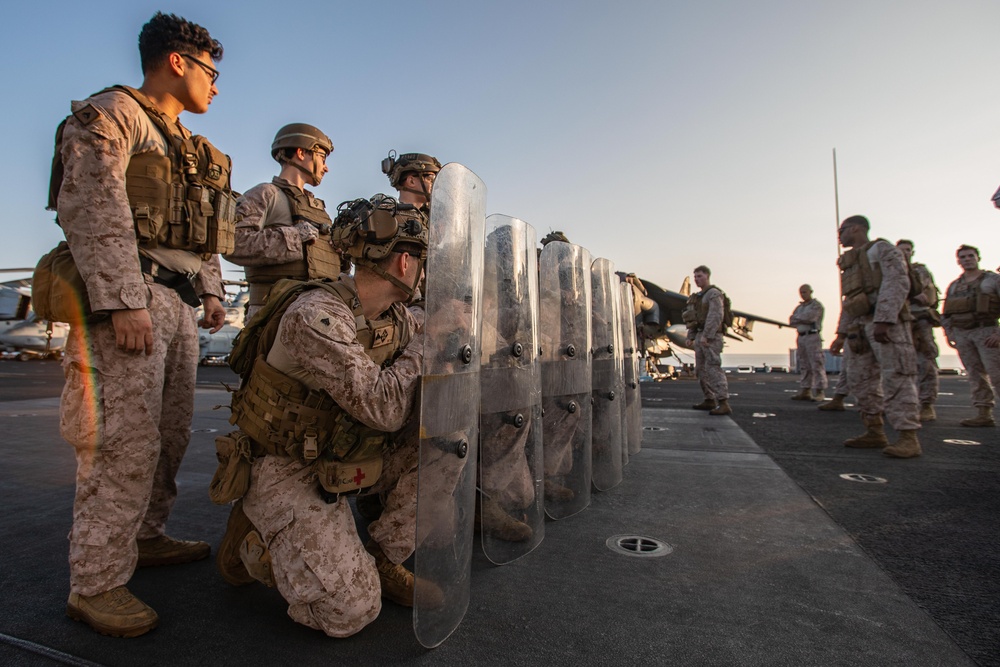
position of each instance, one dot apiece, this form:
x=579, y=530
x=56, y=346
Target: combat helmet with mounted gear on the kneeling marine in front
x=368, y=230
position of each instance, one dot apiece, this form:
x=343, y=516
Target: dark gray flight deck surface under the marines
x=760, y=573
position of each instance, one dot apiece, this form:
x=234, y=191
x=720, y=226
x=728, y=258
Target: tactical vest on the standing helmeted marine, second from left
x=319, y=259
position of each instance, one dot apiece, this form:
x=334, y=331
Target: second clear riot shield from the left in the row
x=510, y=441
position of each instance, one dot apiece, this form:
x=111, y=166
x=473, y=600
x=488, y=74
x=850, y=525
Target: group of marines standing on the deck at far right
x=889, y=310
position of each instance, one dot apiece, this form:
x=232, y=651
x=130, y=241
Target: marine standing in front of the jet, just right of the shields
x=703, y=317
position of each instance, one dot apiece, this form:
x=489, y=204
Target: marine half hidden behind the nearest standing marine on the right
x=923, y=301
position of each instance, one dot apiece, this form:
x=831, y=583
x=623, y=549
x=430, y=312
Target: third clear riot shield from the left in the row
x=564, y=295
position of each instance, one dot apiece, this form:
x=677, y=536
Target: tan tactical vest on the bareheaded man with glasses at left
x=181, y=200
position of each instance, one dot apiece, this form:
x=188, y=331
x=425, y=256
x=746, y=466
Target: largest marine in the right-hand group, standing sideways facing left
x=875, y=323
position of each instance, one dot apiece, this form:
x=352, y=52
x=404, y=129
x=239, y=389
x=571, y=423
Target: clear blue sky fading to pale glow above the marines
x=658, y=134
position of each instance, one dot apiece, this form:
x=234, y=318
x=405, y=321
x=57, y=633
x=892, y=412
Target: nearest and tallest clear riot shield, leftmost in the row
x=449, y=406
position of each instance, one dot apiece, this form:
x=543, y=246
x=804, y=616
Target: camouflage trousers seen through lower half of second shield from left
x=507, y=458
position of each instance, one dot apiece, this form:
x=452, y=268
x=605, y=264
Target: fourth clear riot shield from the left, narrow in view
x=606, y=381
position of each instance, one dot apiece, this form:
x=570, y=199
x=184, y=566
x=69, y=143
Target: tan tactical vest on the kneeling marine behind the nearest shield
x=284, y=417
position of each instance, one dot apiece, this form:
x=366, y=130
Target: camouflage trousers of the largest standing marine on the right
x=883, y=377
